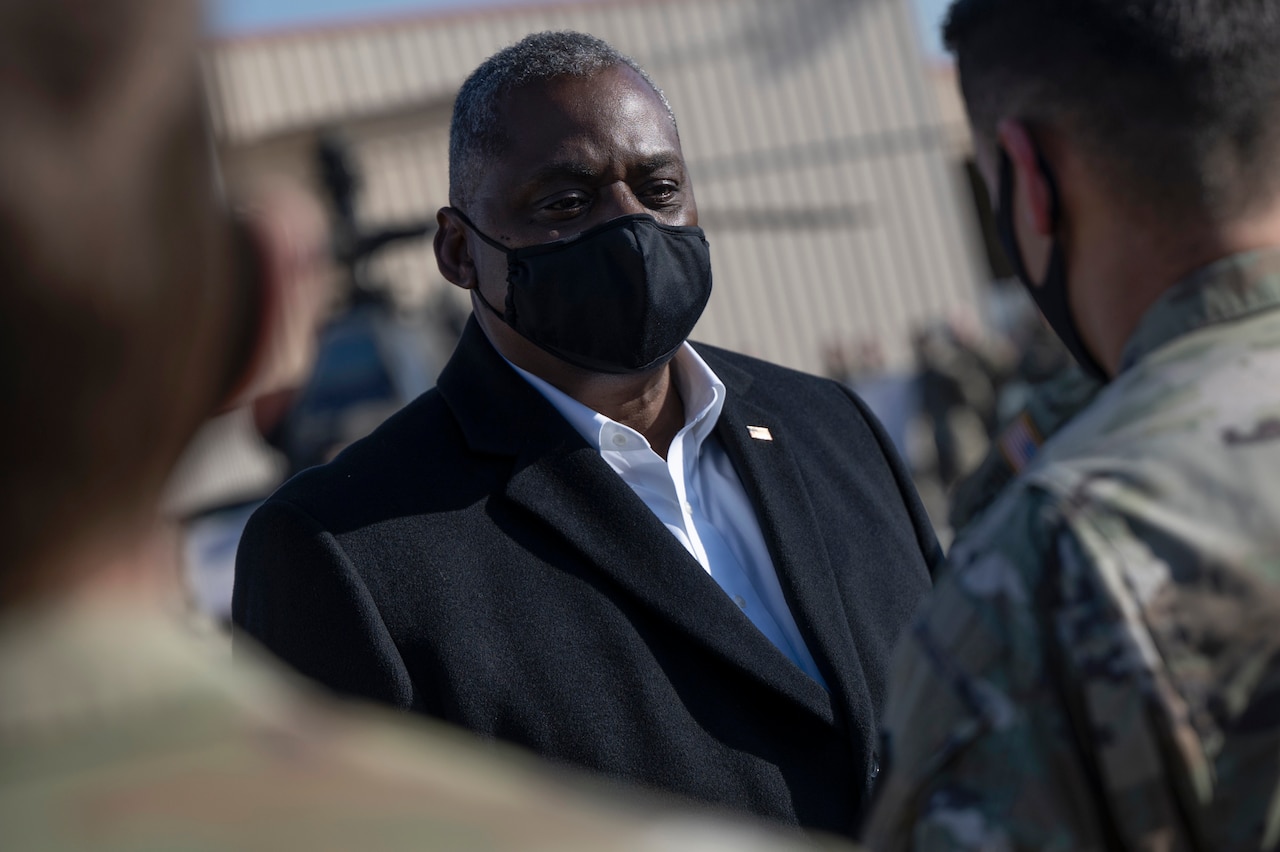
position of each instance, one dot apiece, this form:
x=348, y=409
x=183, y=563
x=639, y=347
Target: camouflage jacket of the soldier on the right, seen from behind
x=1100, y=666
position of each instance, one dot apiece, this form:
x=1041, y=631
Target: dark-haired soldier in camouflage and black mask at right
x=1100, y=666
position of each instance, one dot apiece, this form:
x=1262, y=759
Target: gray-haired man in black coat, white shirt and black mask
x=668, y=564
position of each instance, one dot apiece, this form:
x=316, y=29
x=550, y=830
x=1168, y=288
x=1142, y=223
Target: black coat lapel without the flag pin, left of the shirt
x=565, y=484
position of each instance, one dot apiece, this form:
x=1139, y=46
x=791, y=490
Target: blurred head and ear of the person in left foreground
x=132, y=308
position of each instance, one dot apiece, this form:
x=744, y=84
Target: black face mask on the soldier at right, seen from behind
x=1050, y=295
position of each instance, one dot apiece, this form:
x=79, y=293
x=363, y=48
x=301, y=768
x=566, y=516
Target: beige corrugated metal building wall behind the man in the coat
x=819, y=158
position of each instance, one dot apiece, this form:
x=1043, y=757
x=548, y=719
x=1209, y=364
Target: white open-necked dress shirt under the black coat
x=698, y=496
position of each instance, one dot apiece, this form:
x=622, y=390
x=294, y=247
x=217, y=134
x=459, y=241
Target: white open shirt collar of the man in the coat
x=701, y=390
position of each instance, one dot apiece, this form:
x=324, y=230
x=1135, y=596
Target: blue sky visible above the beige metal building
x=231, y=17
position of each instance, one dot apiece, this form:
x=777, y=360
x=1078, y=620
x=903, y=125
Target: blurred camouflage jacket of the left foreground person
x=121, y=731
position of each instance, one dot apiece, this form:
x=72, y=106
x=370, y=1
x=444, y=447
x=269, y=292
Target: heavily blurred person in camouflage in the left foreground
x=122, y=326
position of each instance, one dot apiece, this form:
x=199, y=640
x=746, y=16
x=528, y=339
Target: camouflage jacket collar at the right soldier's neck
x=1228, y=290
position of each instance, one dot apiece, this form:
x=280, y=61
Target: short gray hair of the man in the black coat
x=477, y=134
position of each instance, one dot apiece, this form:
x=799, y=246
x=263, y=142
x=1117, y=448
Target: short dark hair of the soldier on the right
x=1178, y=99
